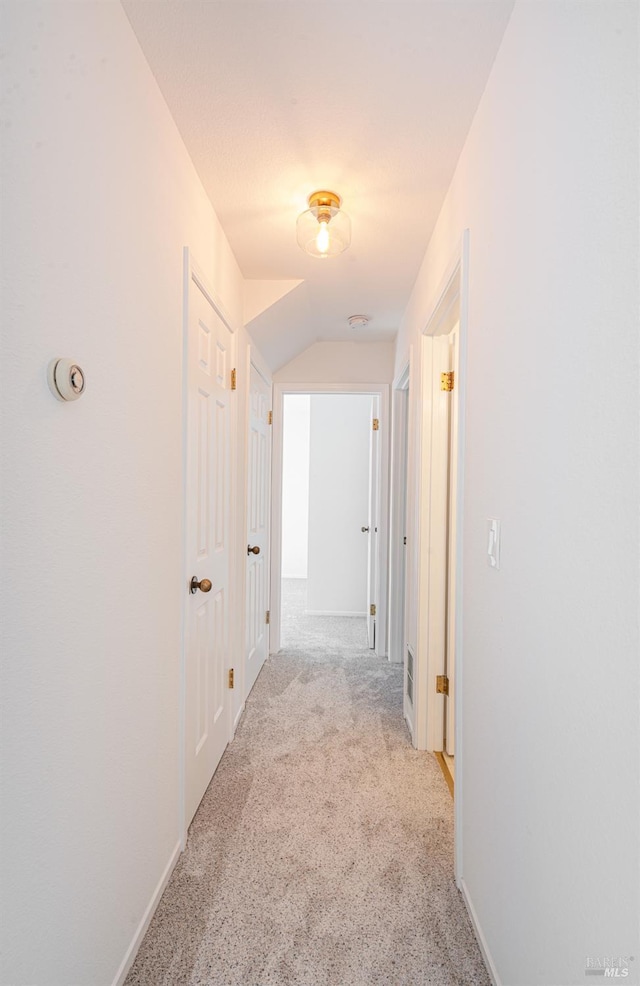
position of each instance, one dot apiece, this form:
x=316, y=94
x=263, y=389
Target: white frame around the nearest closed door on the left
x=193, y=271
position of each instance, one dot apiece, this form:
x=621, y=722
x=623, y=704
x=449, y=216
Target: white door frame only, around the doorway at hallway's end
x=375, y=389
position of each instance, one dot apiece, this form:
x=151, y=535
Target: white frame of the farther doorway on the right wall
x=397, y=520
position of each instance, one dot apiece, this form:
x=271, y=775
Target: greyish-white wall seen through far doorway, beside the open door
x=340, y=435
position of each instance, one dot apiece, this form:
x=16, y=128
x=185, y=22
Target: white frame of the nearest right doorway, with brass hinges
x=451, y=304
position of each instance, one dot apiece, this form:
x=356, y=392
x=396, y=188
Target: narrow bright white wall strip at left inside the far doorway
x=295, y=486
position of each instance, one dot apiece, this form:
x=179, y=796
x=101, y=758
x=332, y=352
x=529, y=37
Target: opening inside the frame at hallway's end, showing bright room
x=329, y=515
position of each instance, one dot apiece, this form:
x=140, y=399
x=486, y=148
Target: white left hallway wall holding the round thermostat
x=99, y=198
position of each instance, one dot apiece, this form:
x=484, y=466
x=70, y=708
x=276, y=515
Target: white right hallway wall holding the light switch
x=548, y=186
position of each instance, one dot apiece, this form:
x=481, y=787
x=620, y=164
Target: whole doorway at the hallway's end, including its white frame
x=330, y=509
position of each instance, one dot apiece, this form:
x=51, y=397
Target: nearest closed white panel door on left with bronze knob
x=208, y=524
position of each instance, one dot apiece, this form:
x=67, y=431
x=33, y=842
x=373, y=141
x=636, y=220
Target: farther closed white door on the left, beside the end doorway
x=258, y=514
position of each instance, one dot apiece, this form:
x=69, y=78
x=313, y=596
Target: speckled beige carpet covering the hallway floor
x=322, y=852
